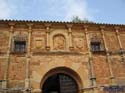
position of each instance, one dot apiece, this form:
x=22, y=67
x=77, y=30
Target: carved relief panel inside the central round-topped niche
x=59, y=42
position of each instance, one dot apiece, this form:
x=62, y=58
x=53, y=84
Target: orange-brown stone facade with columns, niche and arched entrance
x=60, y=47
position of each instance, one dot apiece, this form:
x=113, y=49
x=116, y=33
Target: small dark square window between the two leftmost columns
x=20, y=46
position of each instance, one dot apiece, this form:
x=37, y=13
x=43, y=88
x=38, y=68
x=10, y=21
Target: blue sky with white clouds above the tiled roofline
x=102, y=11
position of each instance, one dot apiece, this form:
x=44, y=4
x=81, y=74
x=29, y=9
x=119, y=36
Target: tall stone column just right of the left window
x=27, y=80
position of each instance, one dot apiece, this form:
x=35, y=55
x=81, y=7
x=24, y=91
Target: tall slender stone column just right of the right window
x=107, y=55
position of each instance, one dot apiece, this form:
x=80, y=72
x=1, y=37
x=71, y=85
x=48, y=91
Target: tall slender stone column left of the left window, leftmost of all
x=4, y=84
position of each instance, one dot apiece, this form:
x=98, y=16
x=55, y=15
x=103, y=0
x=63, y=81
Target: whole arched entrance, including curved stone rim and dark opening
x=63, y=78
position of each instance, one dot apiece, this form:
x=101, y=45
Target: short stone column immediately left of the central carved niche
x=47, y=36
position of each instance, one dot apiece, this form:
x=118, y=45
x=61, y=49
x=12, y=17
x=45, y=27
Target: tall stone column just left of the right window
x=92, y=75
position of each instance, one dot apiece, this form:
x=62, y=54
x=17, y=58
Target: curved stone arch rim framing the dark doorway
x=65, y=71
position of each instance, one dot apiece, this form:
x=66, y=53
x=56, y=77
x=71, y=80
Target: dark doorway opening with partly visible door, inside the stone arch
x=60, y=83
